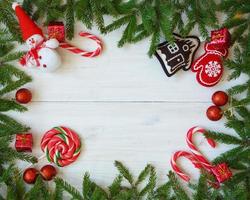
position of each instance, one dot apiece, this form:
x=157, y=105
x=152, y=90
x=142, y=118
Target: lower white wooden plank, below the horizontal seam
x=136, y=133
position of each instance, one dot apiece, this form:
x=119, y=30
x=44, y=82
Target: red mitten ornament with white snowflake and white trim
x=209, y=67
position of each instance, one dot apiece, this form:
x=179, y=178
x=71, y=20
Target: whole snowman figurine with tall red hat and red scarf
x=42, y=53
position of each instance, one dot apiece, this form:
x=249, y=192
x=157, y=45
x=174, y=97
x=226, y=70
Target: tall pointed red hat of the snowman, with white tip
x=27, y=26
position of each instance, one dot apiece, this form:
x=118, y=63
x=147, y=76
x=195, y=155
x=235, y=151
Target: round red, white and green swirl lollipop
x=61, y=146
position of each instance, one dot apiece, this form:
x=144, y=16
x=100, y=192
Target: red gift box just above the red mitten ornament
x=220, y=39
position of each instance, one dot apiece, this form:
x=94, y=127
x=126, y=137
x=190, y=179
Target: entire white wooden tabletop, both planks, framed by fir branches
x=123, y=107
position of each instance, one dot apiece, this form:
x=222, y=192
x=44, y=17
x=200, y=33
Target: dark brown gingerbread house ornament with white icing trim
x=178, y=55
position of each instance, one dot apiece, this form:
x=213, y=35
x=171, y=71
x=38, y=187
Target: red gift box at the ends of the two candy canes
x=222, y=172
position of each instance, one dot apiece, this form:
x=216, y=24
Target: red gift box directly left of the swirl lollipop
x=24, y=142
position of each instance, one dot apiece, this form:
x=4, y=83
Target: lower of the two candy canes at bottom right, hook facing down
x=187, y=155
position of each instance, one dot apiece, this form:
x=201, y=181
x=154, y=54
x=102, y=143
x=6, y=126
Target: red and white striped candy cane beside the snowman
x=81, y=52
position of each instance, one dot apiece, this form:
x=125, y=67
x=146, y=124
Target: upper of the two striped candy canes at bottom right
x=189, y=139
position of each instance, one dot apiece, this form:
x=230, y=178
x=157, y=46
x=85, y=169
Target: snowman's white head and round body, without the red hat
x=48, y=59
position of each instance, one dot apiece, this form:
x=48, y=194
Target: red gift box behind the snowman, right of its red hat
x=57, y=30
